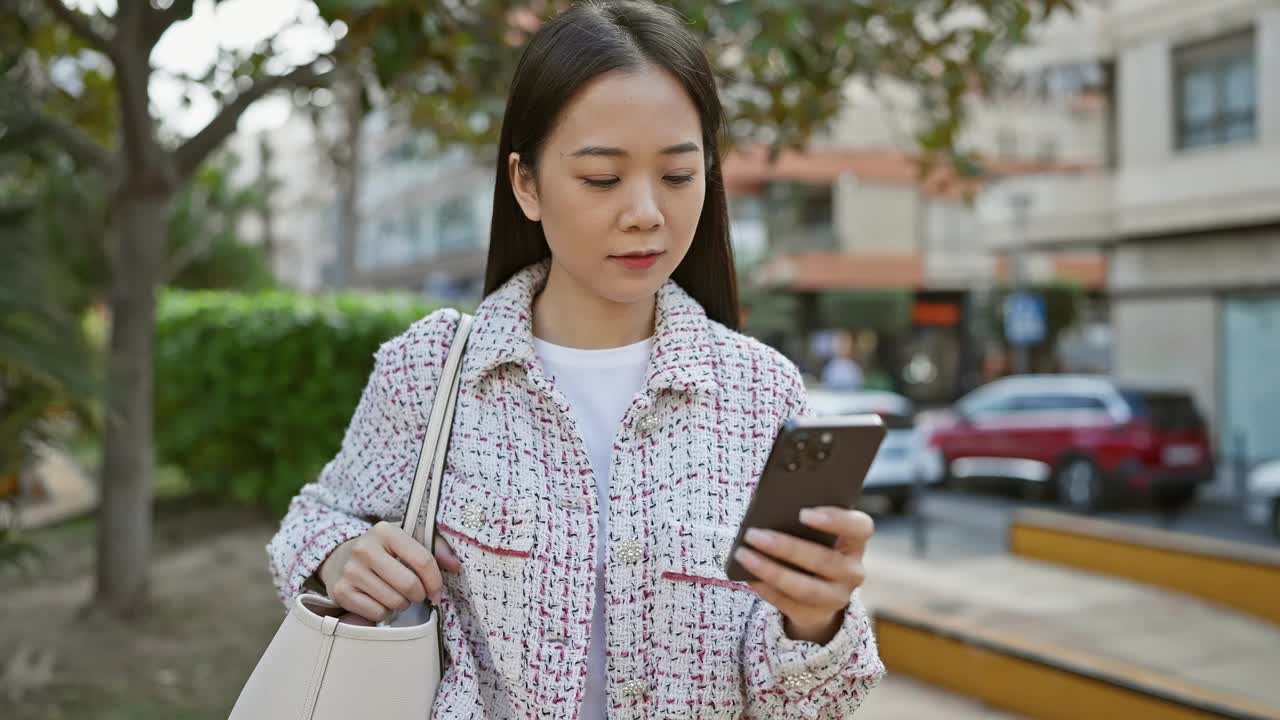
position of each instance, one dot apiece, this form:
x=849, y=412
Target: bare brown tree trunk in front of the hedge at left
x=125, y=517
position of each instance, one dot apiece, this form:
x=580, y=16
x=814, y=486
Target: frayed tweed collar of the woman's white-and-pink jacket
x=683, y=354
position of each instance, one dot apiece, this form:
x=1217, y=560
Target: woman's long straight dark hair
x=584, y=42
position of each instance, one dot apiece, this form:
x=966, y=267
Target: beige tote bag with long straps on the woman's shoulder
x=318, y=669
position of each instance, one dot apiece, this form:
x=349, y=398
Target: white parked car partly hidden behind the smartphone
x=898, y=462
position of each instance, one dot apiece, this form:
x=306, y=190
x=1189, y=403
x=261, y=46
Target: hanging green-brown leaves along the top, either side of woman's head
x=783, y=65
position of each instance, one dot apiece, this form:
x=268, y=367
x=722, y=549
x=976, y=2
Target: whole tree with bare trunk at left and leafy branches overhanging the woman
x=81, y=80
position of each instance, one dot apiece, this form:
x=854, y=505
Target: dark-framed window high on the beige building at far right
x=1217, y=90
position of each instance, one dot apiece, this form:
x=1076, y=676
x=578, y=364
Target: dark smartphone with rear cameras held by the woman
x=816, y=462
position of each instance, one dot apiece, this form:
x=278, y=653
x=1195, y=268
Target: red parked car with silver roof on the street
x=1085, y=440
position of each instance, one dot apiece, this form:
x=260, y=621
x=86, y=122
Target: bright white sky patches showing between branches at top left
x=191, y=48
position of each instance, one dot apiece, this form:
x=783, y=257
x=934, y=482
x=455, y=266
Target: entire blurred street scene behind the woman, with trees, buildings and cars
x=1040, y=239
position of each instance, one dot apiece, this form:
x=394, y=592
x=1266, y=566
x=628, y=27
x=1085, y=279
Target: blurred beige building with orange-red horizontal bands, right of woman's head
x=852, y=213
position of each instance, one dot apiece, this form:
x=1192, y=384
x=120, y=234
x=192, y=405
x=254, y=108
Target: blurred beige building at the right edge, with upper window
x=1190, y=211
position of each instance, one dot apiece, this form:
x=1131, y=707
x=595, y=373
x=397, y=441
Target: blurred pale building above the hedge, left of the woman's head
x=422, y=213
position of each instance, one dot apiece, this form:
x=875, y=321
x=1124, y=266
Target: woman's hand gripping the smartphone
x=813, y=604
